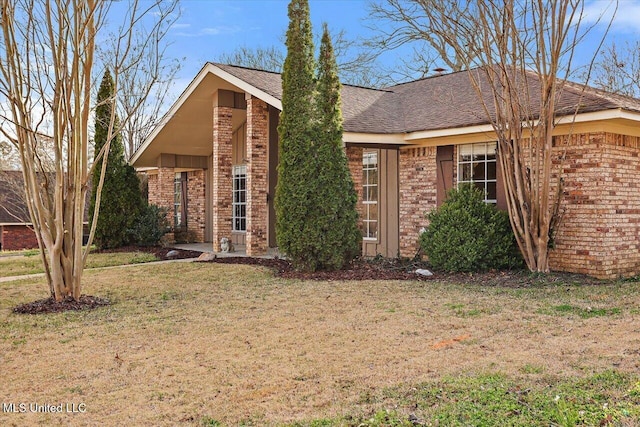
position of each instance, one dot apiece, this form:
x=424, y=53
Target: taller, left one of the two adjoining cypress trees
x=297, y=163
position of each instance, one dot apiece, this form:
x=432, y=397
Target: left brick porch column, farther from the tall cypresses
x=222, y=174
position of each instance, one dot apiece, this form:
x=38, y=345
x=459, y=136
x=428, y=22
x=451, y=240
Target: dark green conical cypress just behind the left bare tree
x=121, y=201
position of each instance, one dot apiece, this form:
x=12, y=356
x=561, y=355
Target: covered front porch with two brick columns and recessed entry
x=227, y=190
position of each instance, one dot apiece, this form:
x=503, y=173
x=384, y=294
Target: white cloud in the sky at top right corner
x=626, y=16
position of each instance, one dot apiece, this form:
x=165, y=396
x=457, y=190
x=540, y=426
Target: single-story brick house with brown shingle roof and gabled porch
x=213, y=162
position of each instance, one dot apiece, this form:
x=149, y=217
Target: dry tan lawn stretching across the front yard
x=187, y=342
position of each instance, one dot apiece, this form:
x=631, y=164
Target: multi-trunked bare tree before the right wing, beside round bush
x=522, y=52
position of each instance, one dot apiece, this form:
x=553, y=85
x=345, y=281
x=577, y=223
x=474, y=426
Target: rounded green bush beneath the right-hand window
x=466, y=234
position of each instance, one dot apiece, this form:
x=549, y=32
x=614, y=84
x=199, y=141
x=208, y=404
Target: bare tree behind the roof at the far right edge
x=618, y=69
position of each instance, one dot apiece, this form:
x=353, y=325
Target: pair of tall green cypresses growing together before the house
x=316, y=219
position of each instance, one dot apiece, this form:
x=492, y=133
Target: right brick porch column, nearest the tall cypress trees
x=257, y=184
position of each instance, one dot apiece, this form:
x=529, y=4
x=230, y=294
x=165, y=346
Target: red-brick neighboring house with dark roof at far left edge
x=16, y=230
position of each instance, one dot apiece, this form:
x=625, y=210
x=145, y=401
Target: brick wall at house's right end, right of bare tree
x=600, y=227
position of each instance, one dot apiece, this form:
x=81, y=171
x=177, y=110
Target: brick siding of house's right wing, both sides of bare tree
x=599, y=233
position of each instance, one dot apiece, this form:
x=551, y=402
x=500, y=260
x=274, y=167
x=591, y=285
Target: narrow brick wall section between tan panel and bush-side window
x=417, y=194
